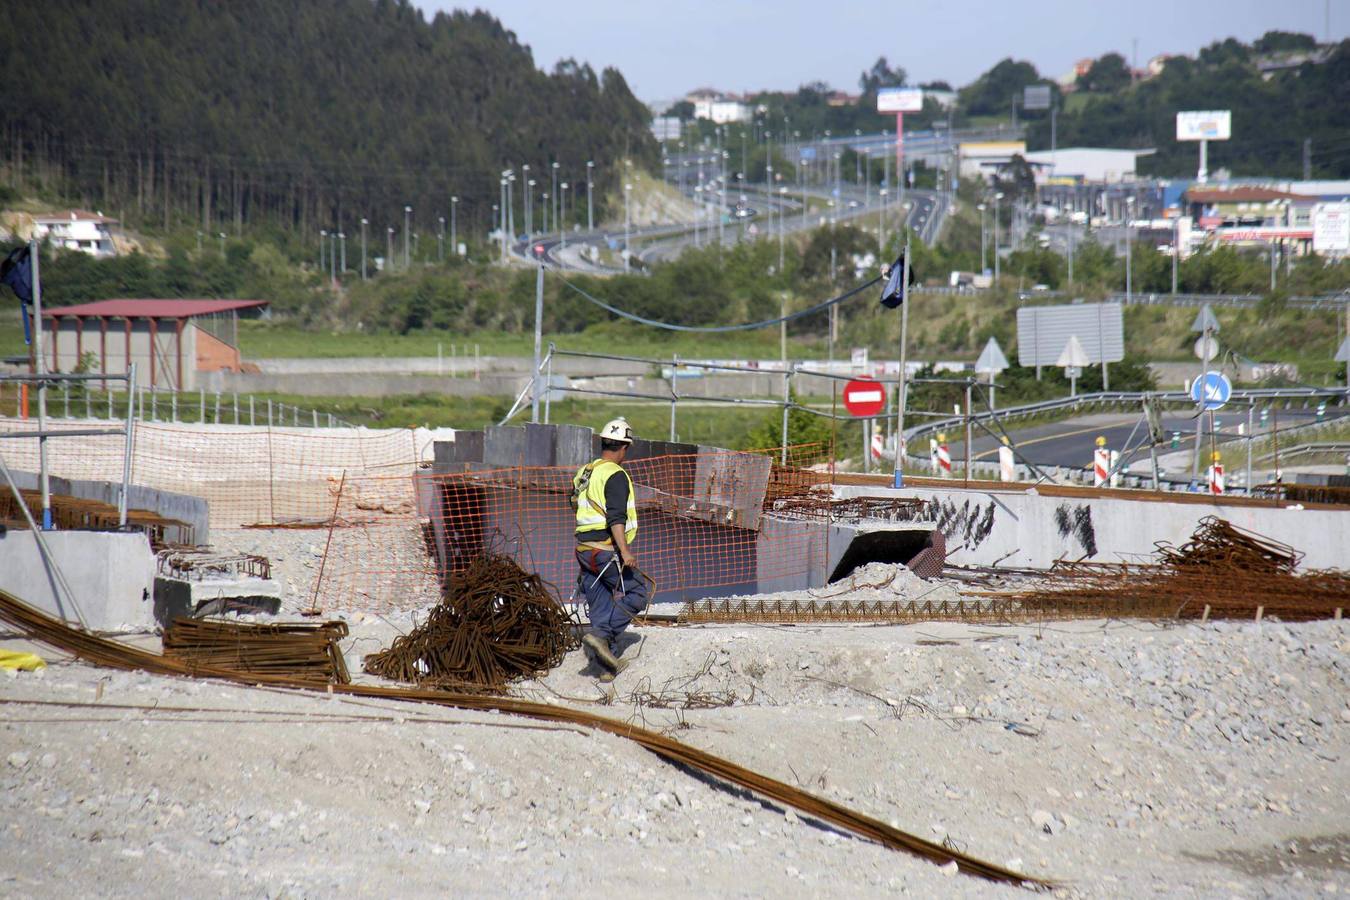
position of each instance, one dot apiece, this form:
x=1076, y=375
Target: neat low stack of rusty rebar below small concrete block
x=303, y=651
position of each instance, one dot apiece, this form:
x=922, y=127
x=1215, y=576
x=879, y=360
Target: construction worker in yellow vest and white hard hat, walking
x=607, y=524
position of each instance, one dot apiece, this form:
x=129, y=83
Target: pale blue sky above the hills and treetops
x=668, y=49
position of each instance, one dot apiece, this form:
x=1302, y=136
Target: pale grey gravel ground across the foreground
x=1120, y=759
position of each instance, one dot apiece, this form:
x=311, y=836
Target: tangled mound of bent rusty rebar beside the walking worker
x=495, y=625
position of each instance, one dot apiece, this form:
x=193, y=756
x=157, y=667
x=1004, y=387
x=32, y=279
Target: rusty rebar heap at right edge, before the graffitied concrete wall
x=1221, y=573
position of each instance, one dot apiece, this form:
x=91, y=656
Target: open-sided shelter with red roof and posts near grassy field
x=169, y=341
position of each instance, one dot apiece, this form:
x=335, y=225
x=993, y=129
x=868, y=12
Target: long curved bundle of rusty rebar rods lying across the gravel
x=40, y=627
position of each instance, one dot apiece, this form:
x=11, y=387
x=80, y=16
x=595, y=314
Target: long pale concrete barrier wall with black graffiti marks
x=1028, y=530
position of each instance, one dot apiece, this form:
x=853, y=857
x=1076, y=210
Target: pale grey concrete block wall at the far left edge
x=111, y=577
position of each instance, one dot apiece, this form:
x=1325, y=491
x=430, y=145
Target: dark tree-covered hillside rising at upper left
x=304, y=114
